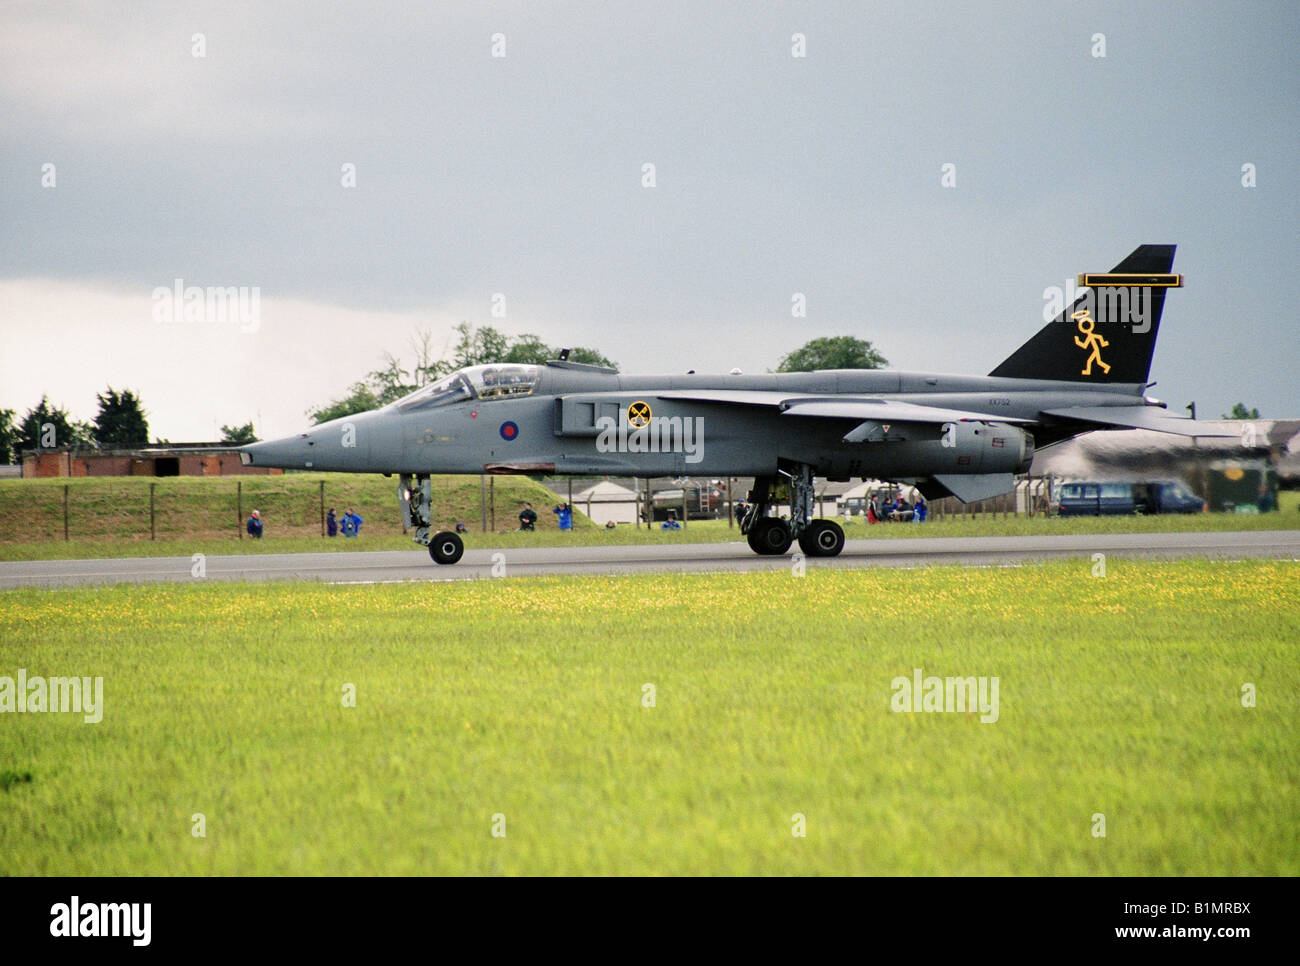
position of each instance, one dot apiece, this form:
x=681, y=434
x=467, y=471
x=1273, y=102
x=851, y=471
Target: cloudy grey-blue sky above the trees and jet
x=372, y=170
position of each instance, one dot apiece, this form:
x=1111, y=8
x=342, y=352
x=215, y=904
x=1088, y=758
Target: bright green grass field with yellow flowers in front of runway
x=1119, y=696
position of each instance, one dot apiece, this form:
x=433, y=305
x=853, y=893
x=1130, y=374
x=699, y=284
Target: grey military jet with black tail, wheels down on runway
x=963, y=436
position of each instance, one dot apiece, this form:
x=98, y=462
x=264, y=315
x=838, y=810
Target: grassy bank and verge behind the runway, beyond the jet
x=109, y=517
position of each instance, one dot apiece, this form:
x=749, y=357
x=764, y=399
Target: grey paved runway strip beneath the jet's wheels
x=398, y=566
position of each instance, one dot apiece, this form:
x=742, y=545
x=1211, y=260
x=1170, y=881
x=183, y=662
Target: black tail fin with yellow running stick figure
x=1107, y=336
